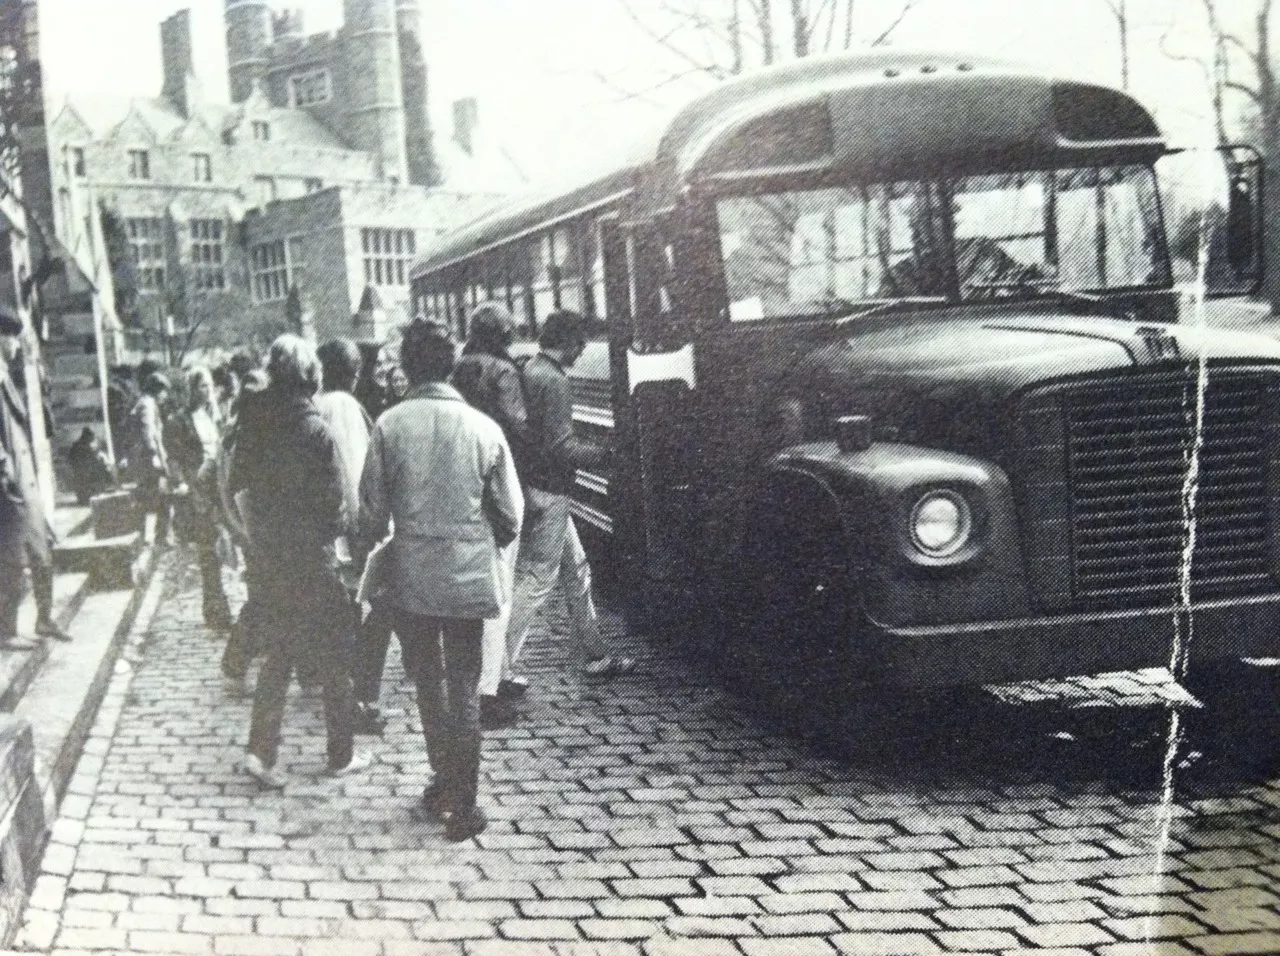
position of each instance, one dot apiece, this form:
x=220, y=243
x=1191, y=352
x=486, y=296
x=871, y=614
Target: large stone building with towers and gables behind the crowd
x=305, y=198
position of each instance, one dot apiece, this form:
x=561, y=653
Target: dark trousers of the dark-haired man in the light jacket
x=445, y=657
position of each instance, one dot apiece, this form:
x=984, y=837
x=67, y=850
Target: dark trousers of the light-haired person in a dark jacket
x=286, y=648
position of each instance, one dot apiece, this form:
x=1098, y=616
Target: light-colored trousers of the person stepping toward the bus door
x=551, y=552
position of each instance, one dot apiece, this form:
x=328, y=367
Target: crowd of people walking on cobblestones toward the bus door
x=437, y=513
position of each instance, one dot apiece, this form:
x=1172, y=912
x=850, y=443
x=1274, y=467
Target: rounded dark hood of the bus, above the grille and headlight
x=950, y=385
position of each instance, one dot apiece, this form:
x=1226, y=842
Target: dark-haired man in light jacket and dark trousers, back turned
x=442, y=472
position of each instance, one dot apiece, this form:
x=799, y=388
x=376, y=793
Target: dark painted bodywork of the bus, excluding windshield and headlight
x=1064, y=423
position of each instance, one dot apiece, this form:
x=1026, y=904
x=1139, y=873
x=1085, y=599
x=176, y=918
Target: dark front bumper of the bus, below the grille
x=1026, y=649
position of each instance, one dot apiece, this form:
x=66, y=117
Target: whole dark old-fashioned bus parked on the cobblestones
x=888, y=353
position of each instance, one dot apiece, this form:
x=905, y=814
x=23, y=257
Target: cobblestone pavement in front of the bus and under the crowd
x=655, y=816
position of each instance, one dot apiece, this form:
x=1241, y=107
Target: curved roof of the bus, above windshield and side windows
x=879, y=112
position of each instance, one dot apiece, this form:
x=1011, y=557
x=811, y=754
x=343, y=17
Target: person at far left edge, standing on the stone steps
x=26, y=536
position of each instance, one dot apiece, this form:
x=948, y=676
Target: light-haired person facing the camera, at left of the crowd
x=195, y=440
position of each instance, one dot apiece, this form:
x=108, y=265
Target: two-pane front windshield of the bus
x=980, y=239
